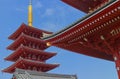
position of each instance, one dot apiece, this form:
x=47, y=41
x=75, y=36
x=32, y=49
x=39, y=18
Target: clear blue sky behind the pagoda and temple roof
x=51, y=15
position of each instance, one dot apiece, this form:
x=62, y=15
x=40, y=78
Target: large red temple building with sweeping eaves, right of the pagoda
x=96, y=35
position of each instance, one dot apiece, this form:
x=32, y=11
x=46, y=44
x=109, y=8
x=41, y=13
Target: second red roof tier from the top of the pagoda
x=24, y=39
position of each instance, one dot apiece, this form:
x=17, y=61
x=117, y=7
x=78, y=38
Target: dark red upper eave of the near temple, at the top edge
x=85, y=5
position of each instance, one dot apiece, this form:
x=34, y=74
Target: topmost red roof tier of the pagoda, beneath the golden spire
x=23, y=28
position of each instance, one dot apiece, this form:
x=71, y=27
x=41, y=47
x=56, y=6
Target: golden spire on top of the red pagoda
x=30, y=16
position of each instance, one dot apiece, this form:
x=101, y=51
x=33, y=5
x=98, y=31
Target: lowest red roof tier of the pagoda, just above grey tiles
x=25, y=64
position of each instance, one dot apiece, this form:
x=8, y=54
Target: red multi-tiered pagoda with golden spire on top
x=28, y=48
